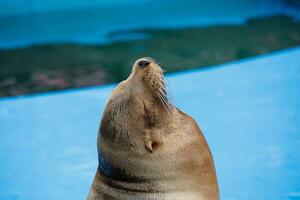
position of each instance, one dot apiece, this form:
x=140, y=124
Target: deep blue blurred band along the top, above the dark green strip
x=28, y=22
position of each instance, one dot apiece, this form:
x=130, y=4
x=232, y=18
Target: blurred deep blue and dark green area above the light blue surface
x=50, y=45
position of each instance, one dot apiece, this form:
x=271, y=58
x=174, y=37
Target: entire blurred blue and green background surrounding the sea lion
x=248, y=110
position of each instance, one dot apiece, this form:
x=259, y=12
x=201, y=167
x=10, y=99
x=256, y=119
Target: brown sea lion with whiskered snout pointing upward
x=148, y=148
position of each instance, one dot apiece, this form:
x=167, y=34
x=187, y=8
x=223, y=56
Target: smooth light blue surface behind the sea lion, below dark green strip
x=248, y=110
